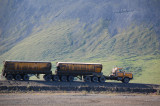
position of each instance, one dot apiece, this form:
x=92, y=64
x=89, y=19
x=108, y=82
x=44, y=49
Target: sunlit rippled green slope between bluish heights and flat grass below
x=58, y=43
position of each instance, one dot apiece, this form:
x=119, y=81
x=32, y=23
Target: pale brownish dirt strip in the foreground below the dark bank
x=77, y=99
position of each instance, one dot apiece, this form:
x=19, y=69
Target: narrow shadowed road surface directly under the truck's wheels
x=75, y=83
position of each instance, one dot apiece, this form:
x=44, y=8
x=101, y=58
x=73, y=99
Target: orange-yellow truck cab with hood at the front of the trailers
x=119, y=74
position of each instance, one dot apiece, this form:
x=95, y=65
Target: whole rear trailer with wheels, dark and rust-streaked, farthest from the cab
x=21, y=69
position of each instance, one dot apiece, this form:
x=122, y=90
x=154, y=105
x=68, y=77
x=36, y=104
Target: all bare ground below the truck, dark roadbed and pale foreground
x=77, y=93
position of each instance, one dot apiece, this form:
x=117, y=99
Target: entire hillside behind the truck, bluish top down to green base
x=122, y=33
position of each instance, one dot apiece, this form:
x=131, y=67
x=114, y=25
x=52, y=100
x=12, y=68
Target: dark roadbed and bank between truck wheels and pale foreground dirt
x=76, y=86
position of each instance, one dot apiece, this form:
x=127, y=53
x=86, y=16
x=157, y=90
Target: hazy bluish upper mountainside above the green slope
x=20, y=18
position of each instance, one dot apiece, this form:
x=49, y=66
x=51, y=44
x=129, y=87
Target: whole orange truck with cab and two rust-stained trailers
x=65, y=71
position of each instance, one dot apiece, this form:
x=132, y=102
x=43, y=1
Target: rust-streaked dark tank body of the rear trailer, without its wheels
x=26, y=67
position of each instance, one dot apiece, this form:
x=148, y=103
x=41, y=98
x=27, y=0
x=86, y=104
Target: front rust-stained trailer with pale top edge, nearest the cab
x=67, y=71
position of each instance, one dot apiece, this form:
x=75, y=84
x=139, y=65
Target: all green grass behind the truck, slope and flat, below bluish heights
x=127, y=49
